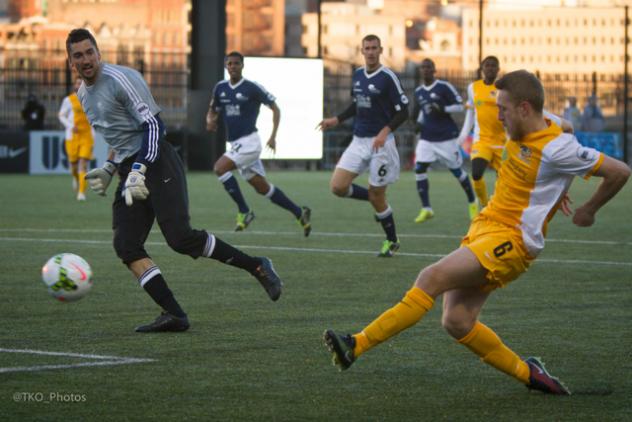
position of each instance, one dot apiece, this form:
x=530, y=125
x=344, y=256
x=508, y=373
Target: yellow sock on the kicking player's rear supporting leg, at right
x=486, y=344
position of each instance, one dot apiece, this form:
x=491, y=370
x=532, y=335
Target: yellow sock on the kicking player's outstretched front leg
x=405, y=314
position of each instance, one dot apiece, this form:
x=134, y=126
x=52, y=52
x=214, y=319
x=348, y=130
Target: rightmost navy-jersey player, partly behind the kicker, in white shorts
x=435, y=100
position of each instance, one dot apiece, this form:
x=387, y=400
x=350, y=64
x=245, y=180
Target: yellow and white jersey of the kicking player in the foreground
x=535, y=174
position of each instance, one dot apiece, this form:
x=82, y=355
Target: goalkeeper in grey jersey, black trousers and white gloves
x=152, y=183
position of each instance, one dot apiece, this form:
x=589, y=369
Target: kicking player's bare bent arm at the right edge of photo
x=615, y=174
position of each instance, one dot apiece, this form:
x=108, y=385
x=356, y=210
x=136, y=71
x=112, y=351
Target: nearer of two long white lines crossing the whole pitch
x=311, y=250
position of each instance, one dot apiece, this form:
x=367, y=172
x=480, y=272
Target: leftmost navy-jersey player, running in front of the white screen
x=238, y=101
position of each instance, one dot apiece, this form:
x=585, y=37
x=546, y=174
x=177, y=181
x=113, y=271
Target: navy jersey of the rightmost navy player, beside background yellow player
x=436, y=123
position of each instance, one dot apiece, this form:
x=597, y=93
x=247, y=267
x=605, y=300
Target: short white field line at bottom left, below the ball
x=99, y=360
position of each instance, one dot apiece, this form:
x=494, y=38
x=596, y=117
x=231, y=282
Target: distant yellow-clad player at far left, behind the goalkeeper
x=79, y=139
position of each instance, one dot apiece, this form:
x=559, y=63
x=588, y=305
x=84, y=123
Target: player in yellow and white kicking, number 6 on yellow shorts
x=539, y=164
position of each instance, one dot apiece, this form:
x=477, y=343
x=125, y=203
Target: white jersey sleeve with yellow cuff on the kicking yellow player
x=566, y=155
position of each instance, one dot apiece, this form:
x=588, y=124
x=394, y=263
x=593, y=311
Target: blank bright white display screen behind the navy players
x=297, y=85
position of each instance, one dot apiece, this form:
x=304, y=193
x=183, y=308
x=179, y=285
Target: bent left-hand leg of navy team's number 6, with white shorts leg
x=353, y=161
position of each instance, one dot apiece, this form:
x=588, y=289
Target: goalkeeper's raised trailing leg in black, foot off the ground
x=171, y=205
